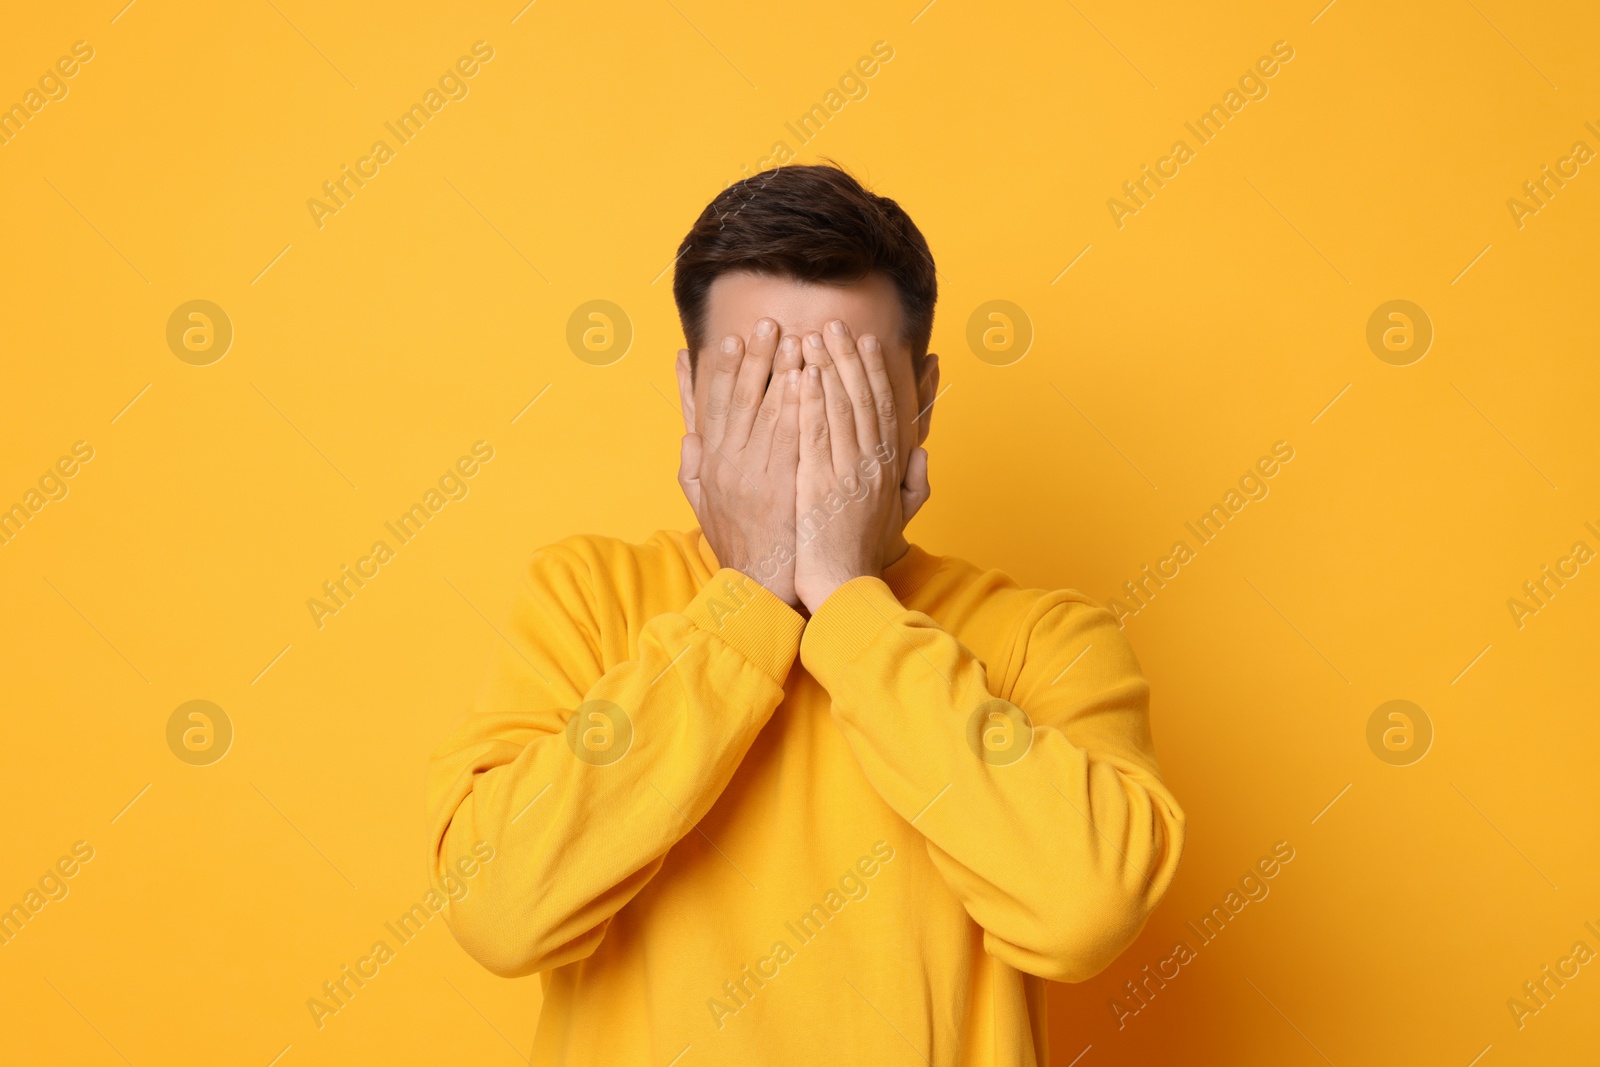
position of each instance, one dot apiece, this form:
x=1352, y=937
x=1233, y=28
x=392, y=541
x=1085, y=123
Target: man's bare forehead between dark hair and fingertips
x=740, y=298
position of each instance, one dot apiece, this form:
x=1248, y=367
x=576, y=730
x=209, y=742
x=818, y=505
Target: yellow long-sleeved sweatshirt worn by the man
x=734, y=836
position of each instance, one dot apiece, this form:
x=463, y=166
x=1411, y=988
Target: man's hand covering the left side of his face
x=738, y=471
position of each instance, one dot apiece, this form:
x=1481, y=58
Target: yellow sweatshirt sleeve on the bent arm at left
x=580, y=775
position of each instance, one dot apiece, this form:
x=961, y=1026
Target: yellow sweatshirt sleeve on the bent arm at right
x=1038, y=793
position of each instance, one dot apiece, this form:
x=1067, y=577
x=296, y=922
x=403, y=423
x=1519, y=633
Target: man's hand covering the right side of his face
x=862, y=476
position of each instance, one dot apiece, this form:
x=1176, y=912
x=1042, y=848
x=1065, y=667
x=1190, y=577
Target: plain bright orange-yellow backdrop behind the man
x=369, y=354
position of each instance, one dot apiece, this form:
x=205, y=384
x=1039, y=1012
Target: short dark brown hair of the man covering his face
x=810, y=225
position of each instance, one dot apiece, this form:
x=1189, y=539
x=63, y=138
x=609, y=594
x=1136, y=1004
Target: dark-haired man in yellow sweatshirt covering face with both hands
x=786, y=789
